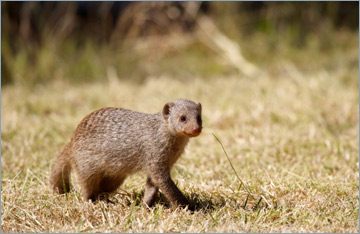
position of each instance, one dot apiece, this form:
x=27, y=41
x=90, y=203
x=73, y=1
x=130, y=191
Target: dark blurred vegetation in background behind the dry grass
x=90, y=41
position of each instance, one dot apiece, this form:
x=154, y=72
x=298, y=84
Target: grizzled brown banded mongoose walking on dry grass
x=111, y=143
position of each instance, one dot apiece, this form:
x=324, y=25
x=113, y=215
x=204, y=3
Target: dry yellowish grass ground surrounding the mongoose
x=293, y=140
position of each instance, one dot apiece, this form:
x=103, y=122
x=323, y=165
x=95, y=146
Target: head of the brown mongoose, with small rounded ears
x=183, y=117
